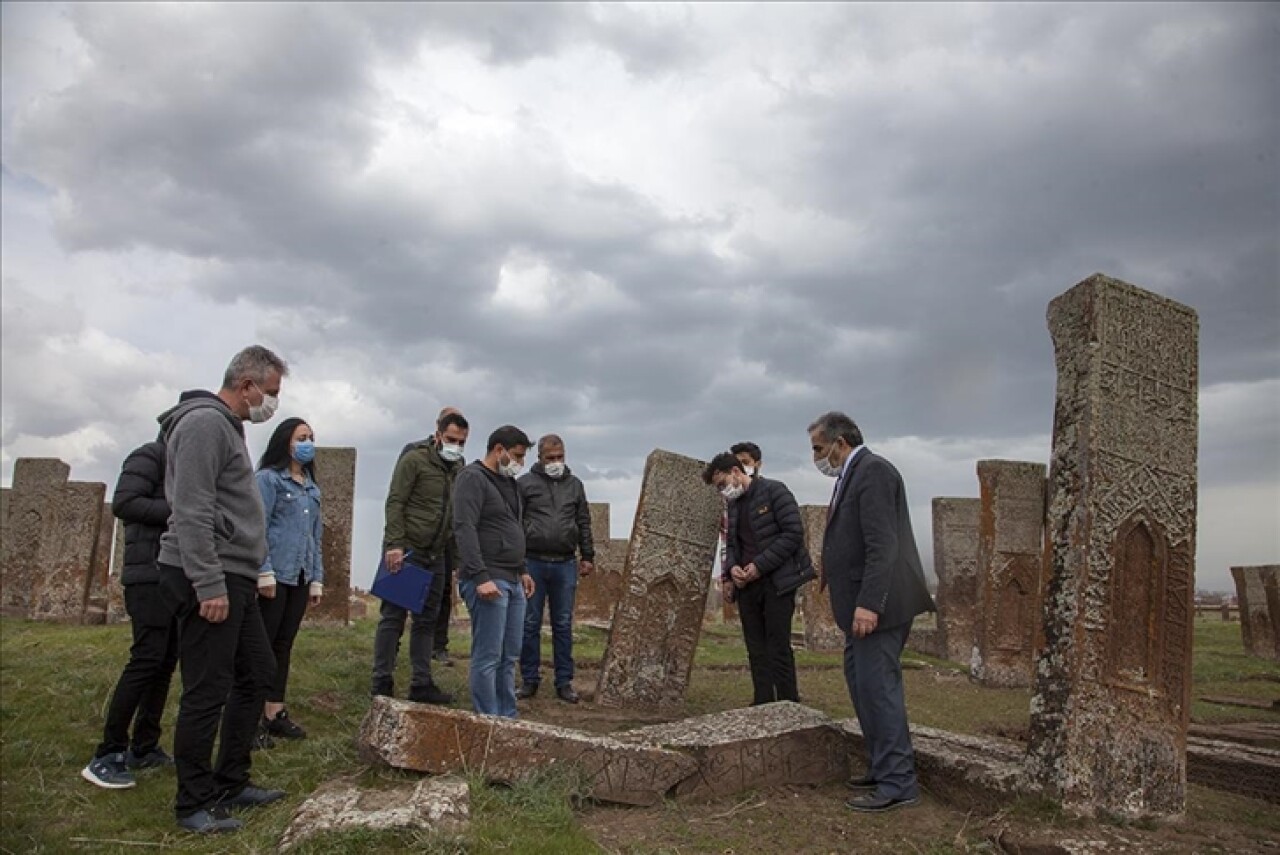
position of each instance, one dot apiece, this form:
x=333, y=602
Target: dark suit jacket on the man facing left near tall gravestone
x=868, y=554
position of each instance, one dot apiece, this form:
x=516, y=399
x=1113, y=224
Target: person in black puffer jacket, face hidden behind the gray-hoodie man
x=144, y=687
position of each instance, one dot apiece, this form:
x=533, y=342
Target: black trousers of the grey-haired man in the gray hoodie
x=227, y=671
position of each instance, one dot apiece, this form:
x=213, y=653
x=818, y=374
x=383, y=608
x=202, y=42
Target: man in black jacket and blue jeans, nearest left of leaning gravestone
x=557, y=529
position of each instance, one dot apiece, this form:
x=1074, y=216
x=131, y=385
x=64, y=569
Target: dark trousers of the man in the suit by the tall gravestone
x=874, y=671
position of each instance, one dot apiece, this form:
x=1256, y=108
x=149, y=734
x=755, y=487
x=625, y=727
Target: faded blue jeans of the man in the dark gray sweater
x=497, y=630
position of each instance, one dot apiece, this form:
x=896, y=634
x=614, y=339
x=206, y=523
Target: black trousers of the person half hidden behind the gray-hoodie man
x=144, y=687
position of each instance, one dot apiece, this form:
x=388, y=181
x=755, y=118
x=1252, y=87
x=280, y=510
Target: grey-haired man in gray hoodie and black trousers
x=209, y=561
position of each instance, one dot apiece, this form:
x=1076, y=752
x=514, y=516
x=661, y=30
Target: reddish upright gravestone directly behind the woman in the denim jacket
x=336, y=474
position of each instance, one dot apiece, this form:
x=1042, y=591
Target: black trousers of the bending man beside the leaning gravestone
x=767, y=630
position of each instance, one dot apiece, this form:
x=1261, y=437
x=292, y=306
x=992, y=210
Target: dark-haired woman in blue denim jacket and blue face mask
x=294, y=573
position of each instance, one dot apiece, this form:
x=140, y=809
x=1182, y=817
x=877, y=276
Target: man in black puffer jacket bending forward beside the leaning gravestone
x=767, y=563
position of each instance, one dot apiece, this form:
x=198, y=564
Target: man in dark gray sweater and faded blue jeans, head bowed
x=492, y=578
